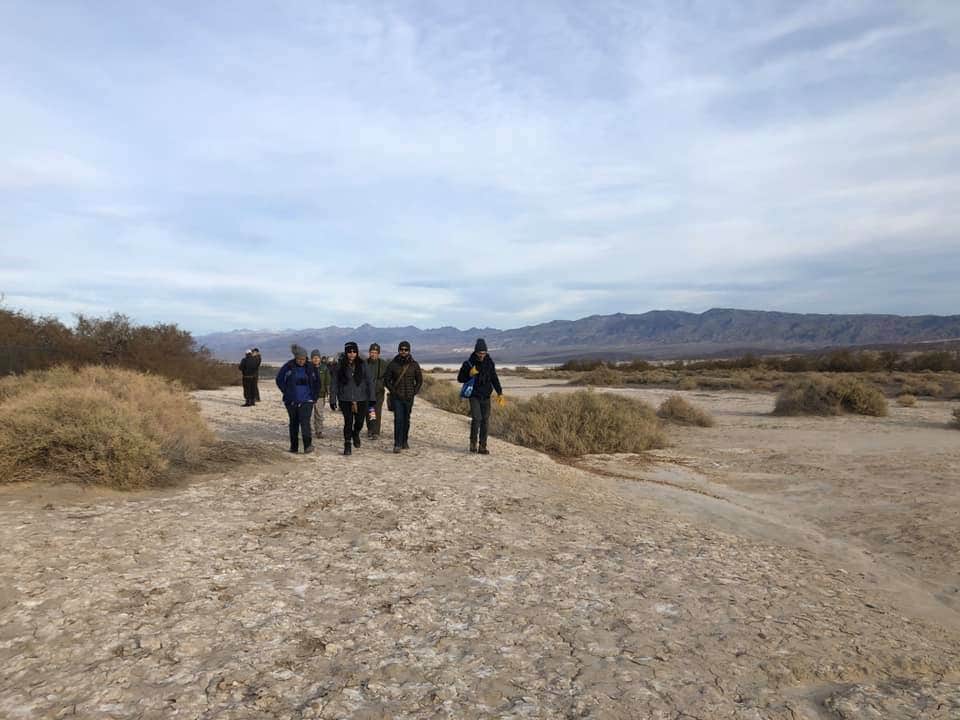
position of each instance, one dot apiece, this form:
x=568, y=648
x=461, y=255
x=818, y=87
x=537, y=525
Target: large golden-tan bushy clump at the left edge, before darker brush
x=98, y=425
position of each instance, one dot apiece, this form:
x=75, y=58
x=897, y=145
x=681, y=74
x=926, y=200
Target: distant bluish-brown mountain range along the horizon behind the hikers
x=655, y=334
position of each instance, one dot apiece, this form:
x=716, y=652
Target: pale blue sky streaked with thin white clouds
x=286, y=163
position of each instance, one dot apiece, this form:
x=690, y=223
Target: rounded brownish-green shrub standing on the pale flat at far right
x=823, y=396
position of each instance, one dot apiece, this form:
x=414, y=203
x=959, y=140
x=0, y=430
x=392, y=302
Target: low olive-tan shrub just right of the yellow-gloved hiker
x=579, y=423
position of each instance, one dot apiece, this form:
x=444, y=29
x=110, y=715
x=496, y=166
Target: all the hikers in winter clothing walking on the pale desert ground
x=358, y=388
